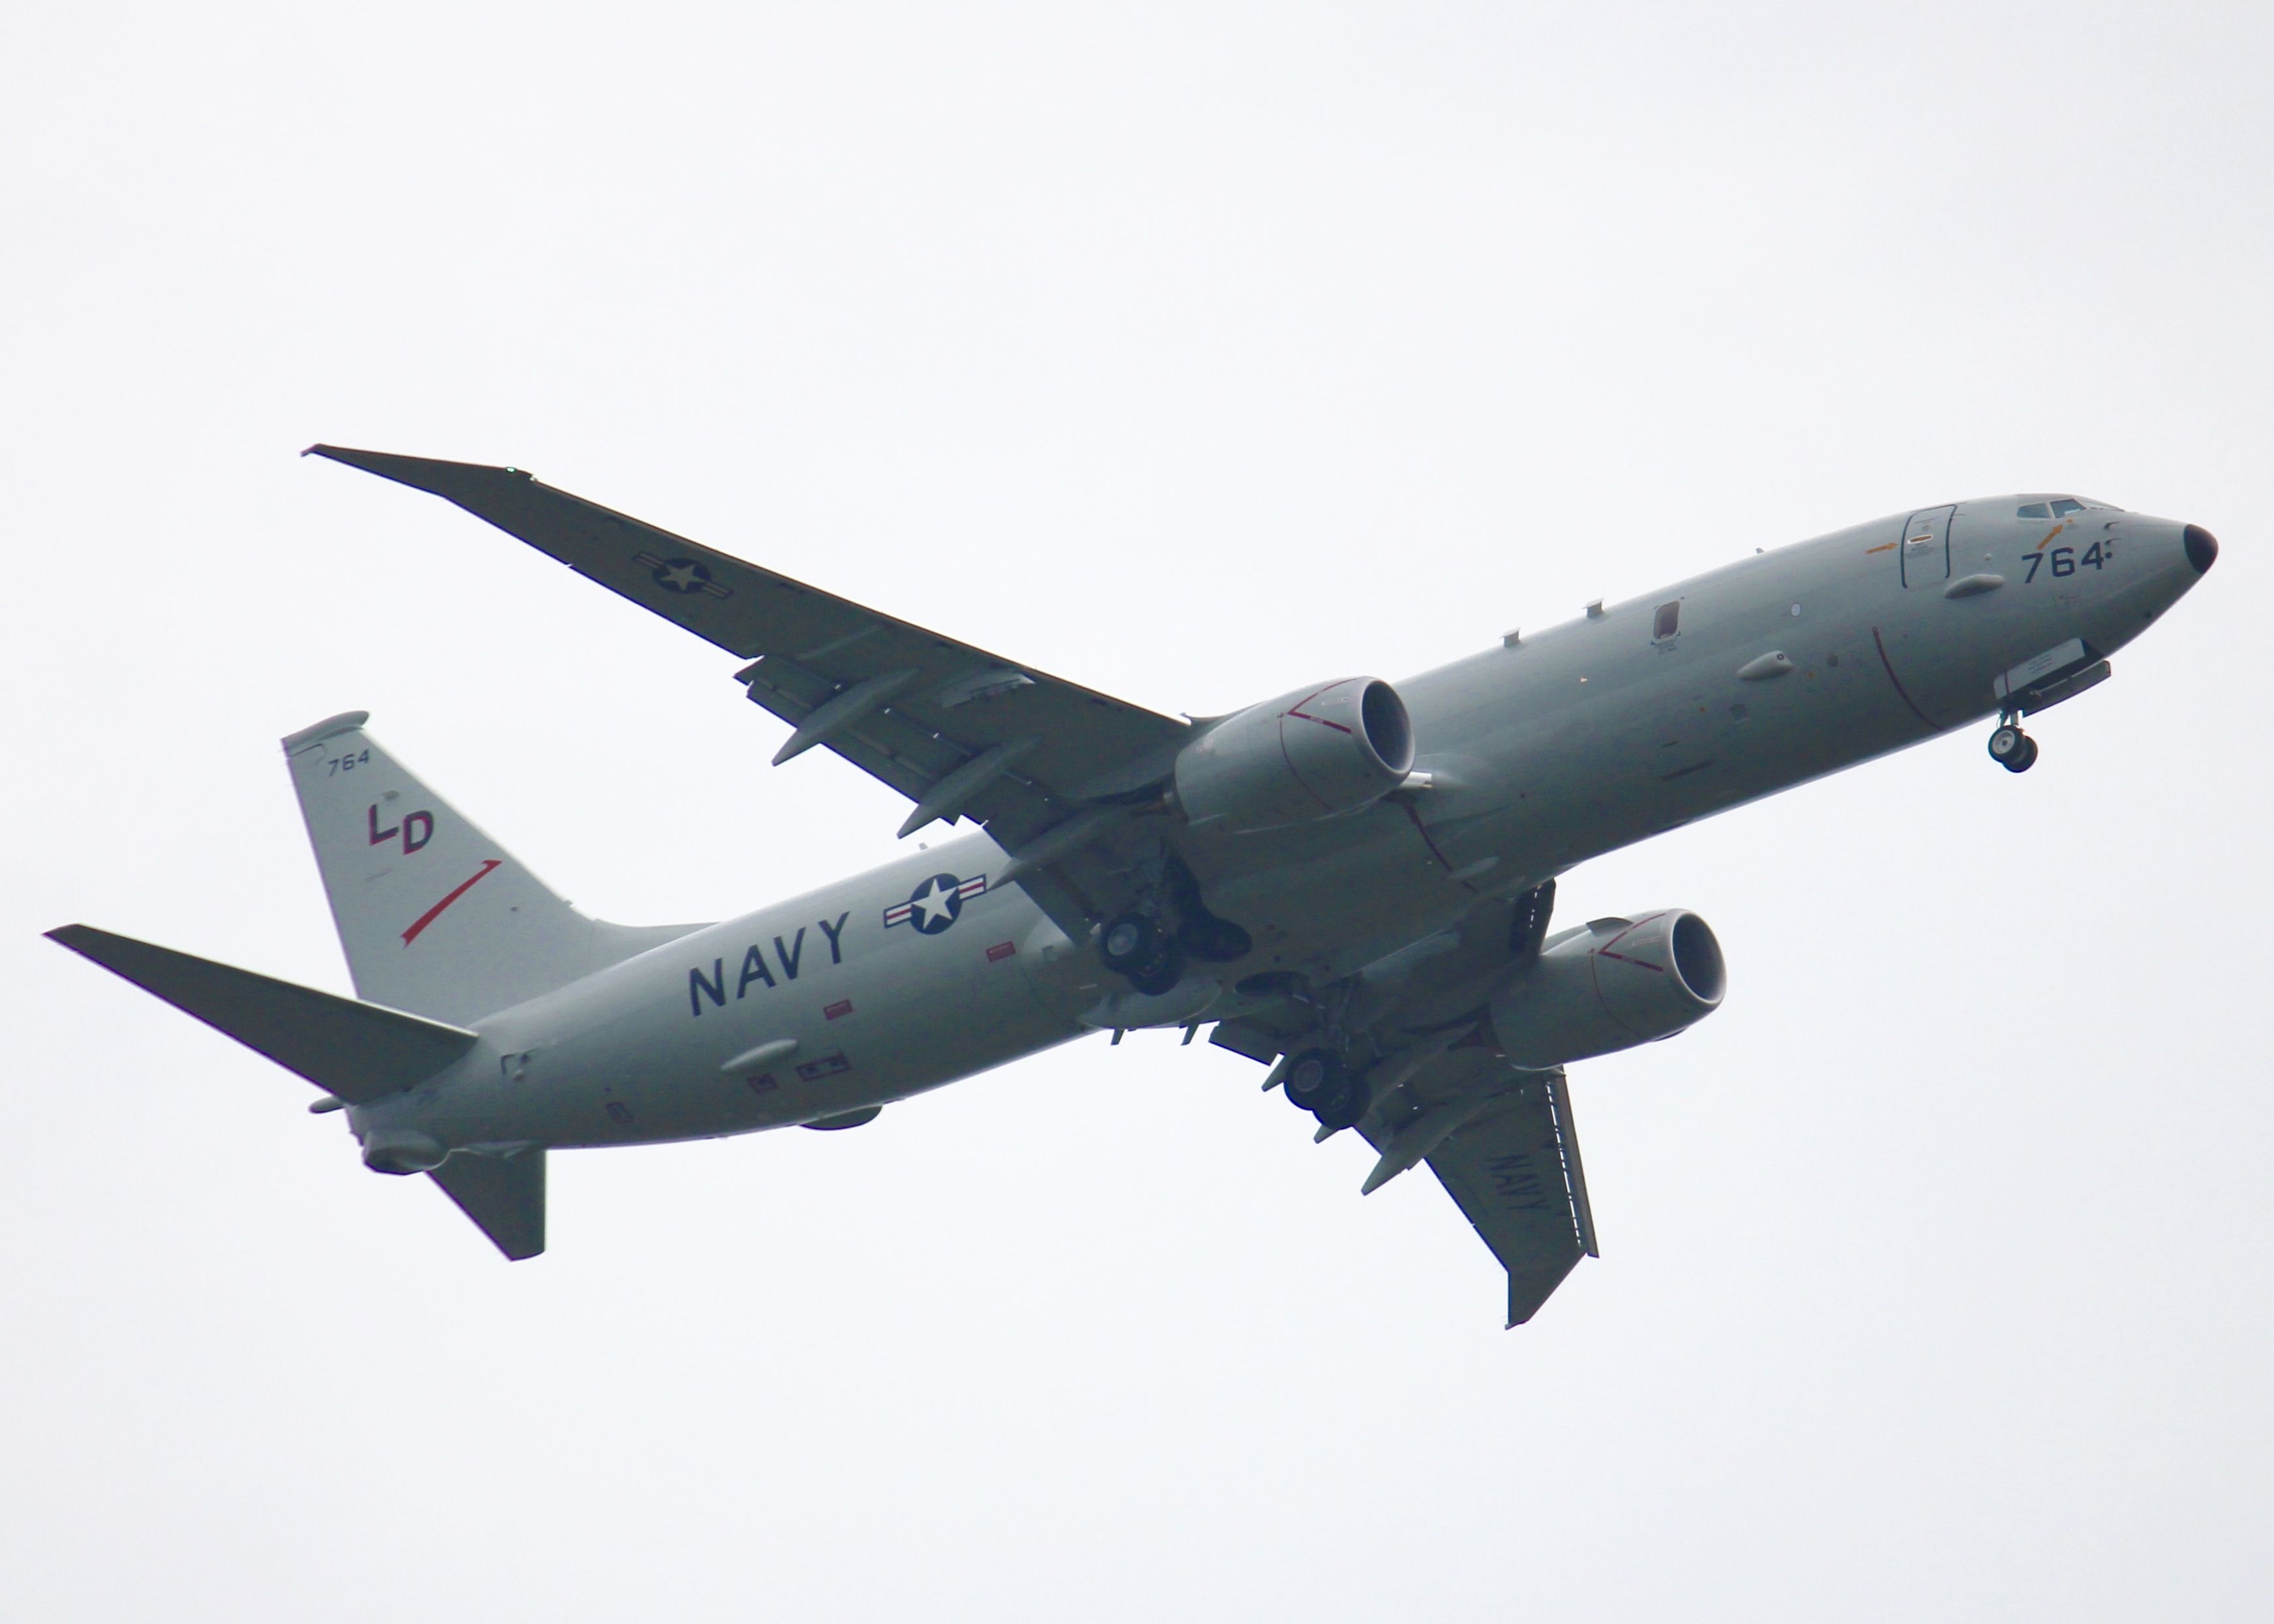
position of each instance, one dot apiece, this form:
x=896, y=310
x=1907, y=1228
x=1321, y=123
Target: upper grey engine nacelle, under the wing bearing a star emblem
x=1297, y=759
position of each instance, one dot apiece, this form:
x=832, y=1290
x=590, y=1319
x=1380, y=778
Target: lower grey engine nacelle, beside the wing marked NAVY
x=1611, y=986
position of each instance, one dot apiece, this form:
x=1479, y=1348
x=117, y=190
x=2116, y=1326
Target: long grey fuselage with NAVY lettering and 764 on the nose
x=1541, y=754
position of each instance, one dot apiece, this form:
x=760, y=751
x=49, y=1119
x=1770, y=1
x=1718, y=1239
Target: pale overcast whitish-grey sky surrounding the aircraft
x=1190, y=354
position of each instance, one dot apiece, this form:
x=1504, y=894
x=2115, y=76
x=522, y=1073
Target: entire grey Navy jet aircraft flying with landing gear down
x=1350, y=884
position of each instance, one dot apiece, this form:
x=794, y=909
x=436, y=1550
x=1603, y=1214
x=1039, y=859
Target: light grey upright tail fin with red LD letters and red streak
x=433, y=913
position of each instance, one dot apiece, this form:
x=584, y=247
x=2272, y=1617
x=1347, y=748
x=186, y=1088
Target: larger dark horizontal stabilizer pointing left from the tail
x=356, y=1052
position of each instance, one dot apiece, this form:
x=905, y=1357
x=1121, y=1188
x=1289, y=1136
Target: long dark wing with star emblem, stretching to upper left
x=956, y=729
